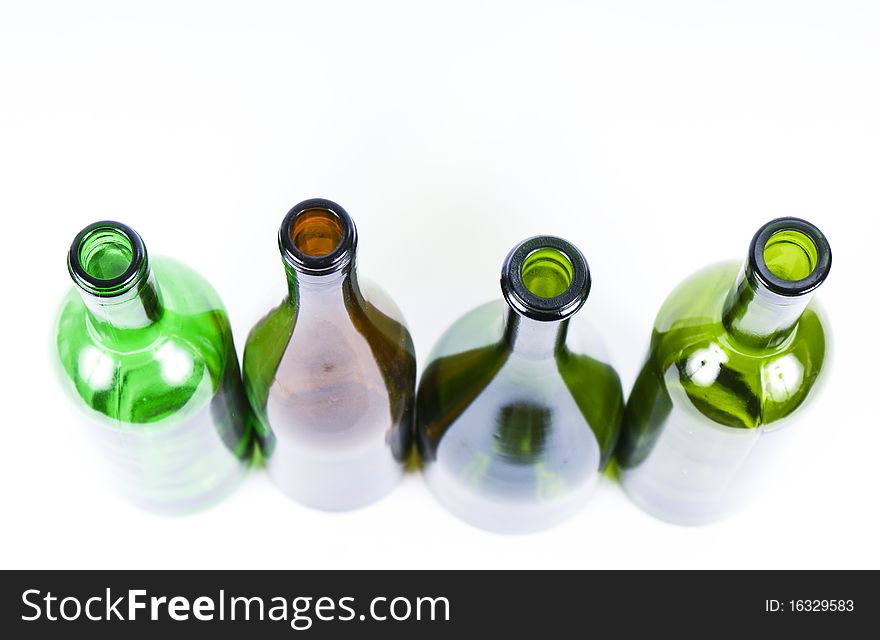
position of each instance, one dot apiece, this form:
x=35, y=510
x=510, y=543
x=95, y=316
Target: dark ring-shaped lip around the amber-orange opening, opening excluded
x=325, y=264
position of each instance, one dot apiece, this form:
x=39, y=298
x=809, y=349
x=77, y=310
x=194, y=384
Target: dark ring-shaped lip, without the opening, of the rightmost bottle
x=762, y=274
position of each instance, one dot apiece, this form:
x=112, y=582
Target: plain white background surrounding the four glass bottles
x=656, y=136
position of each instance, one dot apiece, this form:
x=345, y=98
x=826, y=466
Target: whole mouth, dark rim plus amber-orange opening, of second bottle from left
x=317, y=236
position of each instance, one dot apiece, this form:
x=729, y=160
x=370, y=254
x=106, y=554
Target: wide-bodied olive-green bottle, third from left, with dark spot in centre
x=518, y=409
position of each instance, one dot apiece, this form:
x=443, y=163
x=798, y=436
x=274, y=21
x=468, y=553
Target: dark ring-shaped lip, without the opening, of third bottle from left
x=536, y=307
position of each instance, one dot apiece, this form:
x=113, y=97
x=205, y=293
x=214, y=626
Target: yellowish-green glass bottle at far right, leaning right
x=736, y=350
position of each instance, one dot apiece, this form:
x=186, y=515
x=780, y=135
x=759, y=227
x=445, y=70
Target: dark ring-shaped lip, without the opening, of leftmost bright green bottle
x=110, y=287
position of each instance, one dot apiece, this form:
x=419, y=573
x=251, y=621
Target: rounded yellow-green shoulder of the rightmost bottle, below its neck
x=729, y=382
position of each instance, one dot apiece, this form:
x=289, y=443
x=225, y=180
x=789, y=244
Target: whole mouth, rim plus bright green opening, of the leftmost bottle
x=106, y=258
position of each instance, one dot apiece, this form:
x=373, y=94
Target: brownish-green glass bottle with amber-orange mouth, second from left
x=331, y=371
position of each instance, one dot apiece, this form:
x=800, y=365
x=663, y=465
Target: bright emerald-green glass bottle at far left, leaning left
x=146, y=351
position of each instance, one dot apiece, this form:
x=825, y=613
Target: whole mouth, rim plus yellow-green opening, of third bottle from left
x=545, y=278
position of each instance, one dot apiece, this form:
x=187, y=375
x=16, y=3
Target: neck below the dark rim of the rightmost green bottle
x=756, y=316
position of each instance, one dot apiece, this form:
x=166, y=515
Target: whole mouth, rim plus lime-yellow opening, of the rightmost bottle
x=790, y=256
